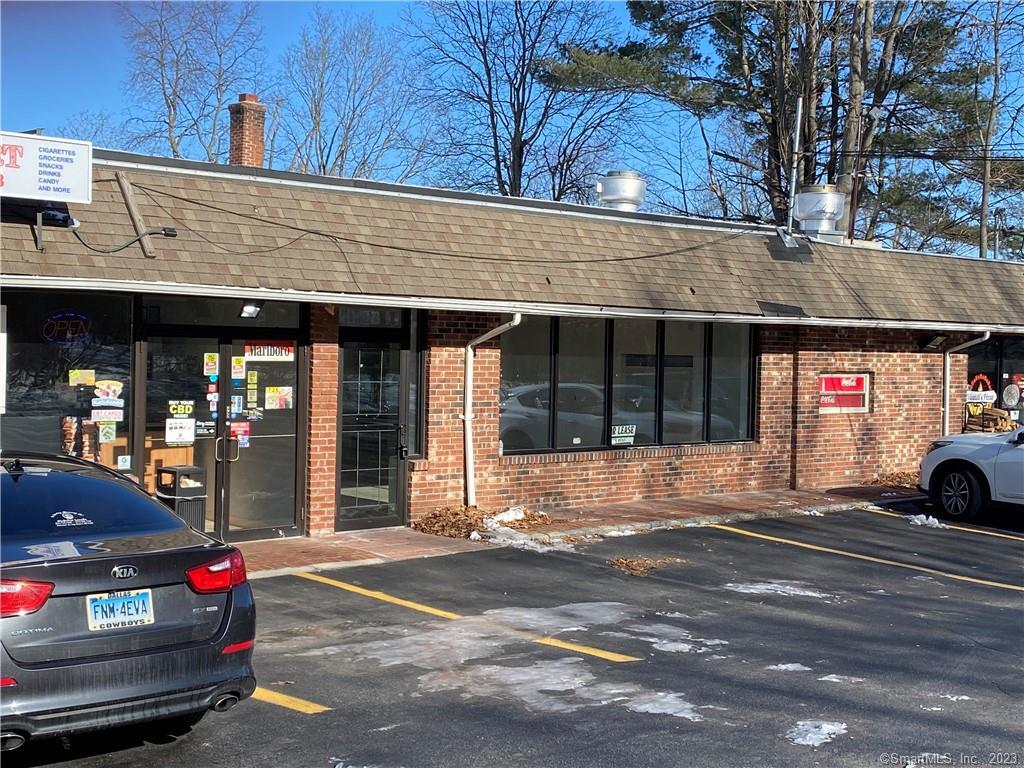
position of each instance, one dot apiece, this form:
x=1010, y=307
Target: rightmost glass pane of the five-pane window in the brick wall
x=731, y=382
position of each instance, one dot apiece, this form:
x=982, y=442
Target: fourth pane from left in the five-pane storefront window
x=685, y=374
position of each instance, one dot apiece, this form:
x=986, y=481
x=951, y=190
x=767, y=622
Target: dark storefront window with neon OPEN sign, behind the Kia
x=68, y=375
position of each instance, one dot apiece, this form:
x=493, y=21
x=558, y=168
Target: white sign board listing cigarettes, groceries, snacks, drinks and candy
x=56, y=170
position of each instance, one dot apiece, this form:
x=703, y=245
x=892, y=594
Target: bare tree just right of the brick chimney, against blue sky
x=350, y=104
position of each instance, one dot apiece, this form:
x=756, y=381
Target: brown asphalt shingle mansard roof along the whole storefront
x=267, y=232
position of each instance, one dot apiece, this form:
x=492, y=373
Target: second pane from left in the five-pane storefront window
x=581, y=382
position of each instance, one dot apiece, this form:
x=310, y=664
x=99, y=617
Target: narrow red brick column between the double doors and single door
x=323, y=425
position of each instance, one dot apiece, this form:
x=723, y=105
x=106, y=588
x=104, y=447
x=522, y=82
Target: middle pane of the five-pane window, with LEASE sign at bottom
x=634, y=382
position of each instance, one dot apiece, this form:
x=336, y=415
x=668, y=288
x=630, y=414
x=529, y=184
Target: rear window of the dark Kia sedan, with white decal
x=41, y=503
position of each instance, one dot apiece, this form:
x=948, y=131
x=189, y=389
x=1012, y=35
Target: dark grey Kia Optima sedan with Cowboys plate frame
x=114, y=611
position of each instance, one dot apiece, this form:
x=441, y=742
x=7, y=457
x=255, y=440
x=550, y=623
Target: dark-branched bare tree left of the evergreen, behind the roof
x=507, y=131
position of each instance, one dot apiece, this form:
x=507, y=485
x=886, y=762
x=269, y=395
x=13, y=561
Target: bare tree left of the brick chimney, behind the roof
x=189, y=62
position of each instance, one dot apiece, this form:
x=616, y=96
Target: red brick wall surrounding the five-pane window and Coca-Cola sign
x=795, y=446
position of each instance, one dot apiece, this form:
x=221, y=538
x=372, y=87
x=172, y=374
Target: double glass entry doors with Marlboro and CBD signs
x=230, y=407
